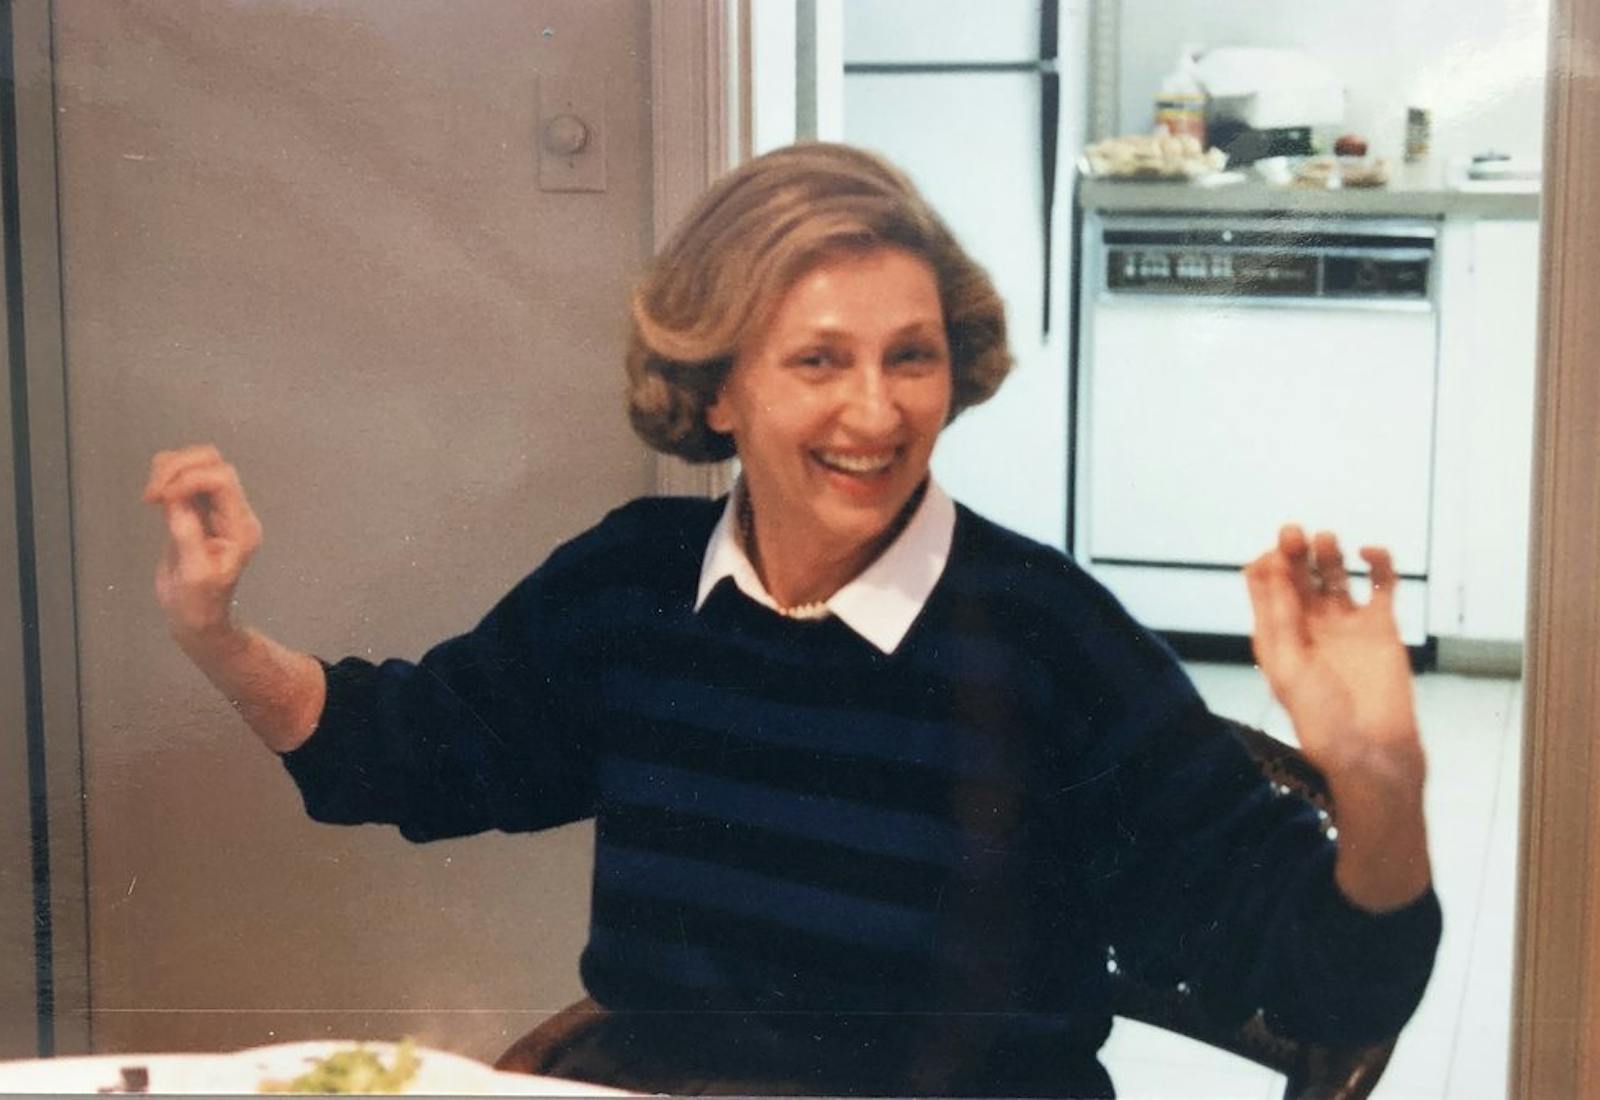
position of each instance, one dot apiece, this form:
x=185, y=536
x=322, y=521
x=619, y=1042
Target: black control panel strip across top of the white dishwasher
x=1385, y=261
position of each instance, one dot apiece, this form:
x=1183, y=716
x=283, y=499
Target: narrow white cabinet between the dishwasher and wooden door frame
x=1482, y=476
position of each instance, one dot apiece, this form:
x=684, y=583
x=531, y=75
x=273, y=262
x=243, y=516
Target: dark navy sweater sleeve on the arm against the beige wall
x=479, y=735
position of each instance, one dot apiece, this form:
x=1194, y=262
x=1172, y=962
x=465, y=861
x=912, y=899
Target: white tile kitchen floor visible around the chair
x=1457, y=1045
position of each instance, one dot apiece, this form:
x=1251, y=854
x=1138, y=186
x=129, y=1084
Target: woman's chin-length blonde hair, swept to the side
x=759, y=229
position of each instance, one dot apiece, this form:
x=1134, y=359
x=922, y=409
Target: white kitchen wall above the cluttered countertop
x=1478, y=65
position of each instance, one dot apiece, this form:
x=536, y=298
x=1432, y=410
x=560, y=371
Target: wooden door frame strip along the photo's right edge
x=1556, y=1016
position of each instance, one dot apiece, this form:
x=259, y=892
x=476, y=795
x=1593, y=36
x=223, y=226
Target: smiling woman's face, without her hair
x=836, y=407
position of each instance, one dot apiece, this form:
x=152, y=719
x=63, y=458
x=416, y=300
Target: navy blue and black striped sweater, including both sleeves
x=793, y=821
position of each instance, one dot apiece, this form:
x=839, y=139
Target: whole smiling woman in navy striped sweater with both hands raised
x=876, y=781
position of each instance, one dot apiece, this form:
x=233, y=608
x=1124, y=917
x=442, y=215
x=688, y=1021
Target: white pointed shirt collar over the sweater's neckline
x=884, y=600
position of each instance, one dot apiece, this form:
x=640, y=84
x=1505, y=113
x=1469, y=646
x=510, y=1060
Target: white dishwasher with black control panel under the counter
x=1239, y=373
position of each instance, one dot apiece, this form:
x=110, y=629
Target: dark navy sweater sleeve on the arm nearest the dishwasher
x=1209, y=875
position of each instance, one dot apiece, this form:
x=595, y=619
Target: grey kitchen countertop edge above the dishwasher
x=1412, y=193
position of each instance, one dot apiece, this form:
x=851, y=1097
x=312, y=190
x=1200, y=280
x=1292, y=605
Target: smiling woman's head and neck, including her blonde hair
x=818, y=319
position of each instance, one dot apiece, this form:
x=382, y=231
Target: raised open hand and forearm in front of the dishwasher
x=1345, y=679
